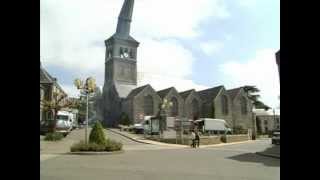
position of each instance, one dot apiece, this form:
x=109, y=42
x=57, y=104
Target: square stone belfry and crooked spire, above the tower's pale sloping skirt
x=121, y=51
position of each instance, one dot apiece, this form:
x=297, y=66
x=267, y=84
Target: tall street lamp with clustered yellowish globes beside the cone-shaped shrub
x=86, y=88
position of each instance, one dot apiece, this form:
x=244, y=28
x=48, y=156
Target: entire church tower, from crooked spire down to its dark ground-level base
x=120, y=66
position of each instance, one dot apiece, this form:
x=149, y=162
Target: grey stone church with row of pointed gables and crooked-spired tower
x=122, y=95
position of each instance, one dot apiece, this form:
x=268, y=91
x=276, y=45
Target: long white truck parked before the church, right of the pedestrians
x=213, y=126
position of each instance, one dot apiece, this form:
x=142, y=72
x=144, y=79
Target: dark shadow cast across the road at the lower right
x=254, y=158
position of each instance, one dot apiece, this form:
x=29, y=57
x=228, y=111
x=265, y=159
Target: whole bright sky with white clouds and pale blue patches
x=188, y=44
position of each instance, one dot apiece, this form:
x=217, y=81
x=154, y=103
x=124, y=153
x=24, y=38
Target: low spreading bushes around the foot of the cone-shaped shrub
x=109, y=146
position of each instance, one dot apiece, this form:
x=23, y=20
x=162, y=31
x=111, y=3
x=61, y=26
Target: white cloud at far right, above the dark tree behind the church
x=261, y=70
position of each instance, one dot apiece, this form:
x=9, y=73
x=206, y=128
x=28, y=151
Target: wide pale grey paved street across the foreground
x=144, y=161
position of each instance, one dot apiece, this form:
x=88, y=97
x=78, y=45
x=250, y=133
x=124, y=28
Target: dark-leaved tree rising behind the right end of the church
x=251, y=93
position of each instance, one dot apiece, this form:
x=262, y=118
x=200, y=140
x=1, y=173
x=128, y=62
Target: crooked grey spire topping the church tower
x=124, y=20
